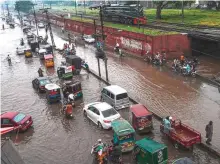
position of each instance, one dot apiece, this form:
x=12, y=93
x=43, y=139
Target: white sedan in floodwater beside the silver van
x=101, y=114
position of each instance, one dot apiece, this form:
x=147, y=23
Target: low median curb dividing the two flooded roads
x=212, y=149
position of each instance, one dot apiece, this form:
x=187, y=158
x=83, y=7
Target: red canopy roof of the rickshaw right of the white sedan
x=140, y=110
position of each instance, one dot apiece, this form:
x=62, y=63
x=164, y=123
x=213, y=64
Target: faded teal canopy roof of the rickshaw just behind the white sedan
x=122, y=127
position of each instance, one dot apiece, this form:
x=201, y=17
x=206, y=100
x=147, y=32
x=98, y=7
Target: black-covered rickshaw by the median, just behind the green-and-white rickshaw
x=76, y=61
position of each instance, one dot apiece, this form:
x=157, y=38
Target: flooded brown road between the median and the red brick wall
x=164, y=92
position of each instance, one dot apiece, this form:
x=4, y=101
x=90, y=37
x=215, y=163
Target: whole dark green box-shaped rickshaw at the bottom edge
x=150, y=151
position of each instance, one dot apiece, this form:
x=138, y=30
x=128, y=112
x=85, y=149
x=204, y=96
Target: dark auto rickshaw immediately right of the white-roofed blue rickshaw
x=73, y=87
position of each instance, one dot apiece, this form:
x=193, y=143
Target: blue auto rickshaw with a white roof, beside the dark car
x=52, y=93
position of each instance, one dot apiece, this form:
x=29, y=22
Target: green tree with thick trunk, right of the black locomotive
x=163, y=4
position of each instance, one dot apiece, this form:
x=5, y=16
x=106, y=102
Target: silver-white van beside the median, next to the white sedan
x=115, y=96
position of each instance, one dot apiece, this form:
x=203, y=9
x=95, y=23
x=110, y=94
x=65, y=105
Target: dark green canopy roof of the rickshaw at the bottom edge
x=150, y=145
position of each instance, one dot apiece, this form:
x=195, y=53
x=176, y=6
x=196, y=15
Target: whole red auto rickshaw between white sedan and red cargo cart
x=141, y=118
